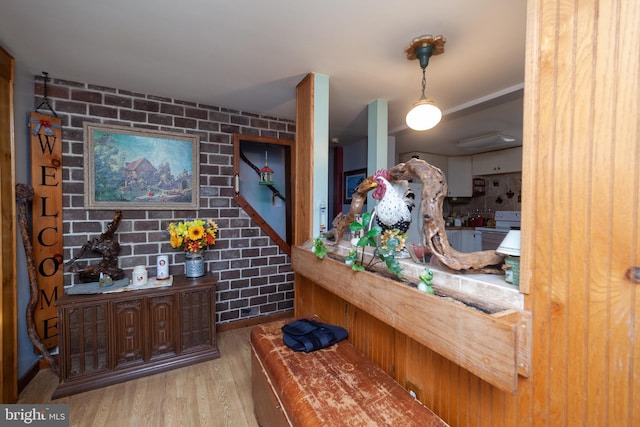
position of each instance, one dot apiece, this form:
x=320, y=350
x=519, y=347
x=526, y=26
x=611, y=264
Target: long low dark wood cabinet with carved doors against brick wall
x=109, y=338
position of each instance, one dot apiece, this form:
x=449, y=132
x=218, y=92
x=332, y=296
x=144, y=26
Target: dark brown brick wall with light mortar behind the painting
x=254, y=275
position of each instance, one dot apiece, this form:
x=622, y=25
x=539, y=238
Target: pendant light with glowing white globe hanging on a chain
x=424, y=114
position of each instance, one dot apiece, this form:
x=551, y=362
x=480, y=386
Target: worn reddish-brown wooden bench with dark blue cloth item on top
x=336, y=386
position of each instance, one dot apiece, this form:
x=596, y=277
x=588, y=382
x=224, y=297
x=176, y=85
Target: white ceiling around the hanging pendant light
x=249, y=55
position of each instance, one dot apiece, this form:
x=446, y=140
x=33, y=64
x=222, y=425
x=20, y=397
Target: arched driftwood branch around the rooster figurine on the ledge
x=434, y=190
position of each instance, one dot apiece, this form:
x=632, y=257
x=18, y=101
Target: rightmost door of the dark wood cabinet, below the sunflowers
x=197, y=319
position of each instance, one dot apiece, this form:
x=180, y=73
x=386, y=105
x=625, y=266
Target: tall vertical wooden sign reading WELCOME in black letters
x=47, y=232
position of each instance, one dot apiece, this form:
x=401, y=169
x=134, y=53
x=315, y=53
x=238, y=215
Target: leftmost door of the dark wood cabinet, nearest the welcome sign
x=84, y=338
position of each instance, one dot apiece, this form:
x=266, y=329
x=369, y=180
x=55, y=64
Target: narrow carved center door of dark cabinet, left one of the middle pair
x=128, y=332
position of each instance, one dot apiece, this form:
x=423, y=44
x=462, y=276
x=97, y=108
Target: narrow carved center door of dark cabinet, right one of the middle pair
x=162, y=329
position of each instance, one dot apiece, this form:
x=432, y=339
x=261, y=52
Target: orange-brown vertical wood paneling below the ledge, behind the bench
x=456, y=395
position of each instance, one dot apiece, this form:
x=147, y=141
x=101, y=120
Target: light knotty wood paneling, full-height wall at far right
x=580, y=205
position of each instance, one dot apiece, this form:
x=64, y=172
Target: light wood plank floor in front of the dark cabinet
x=214, y=393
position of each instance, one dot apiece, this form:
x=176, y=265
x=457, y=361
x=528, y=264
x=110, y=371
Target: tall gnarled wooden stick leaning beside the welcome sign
x=24, y=196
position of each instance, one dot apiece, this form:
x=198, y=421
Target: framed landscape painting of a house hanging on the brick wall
x=128, y=168
